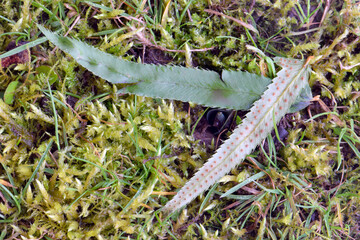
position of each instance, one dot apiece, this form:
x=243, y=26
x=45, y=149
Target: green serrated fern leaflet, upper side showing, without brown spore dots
x=236, y=90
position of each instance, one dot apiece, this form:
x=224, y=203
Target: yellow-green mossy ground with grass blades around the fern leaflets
x=81, y=162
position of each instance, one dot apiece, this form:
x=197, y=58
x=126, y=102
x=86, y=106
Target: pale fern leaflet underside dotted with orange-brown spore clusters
x=259, y=122
